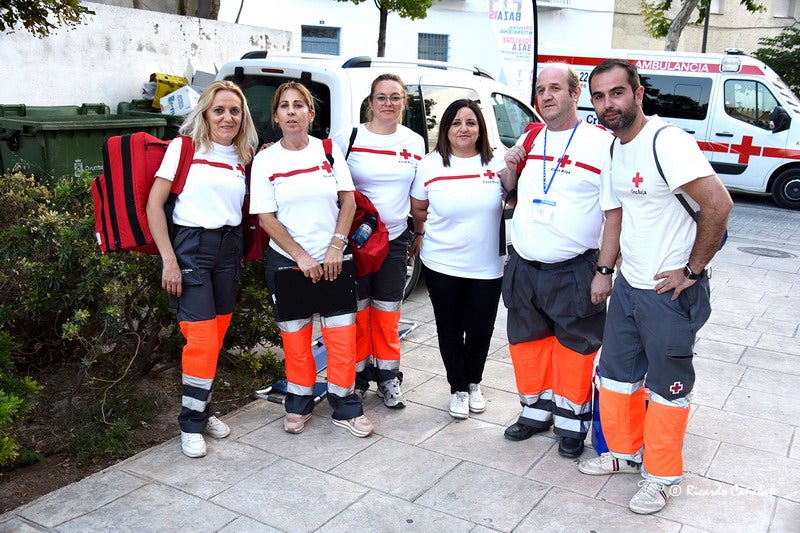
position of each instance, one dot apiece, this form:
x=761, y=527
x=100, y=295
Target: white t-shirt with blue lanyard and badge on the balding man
x=558, y=213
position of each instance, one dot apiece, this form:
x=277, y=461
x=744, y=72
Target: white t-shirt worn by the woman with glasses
x=383, y=168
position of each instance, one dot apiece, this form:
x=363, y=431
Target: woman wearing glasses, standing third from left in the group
x=382, y=155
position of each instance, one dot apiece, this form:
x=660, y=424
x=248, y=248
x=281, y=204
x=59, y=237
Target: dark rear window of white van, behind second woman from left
x=259, y=91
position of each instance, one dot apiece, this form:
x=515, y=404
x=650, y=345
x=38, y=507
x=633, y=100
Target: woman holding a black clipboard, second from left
x=306, y=205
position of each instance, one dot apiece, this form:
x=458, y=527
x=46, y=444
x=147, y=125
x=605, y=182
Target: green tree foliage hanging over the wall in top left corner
x=41, y=17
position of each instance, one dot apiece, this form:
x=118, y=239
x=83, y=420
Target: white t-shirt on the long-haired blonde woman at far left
x=214, y=191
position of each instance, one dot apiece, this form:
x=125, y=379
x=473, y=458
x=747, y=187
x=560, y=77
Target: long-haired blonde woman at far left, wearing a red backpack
x=202, y=258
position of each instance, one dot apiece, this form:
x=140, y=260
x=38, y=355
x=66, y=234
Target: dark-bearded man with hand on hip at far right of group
x=661, y=296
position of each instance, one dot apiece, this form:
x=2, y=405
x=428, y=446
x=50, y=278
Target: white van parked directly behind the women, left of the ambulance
x=341, y=87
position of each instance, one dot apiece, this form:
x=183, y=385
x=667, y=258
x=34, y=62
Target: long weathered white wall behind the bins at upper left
x=108, y=59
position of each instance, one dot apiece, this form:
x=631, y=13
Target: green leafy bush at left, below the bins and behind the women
x=63, y=301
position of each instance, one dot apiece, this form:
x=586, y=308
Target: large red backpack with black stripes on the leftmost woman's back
x=120, y=194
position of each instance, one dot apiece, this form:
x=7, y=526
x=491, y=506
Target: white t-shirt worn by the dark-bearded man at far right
x=657, y=232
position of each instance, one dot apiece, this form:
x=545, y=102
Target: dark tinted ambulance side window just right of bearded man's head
x=676, y=96
